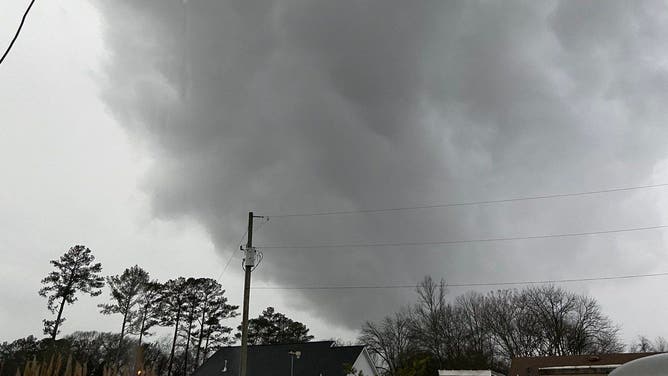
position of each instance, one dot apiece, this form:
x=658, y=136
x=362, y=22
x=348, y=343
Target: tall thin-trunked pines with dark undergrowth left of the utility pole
x=194, y=308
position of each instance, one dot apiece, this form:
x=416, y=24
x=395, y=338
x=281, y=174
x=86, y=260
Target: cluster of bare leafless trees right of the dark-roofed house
x=479, y=331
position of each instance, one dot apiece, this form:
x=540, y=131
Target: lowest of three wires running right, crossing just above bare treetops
x=484, y=284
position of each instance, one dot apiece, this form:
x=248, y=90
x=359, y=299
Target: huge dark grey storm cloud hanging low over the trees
x=298, y=106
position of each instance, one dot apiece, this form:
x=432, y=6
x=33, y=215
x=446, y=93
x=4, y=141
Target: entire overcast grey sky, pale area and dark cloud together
x=147, y=130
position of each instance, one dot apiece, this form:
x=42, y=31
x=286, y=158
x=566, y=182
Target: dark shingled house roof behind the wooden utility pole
x=317, y=358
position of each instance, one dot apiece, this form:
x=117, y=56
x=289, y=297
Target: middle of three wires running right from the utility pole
x=465, y=241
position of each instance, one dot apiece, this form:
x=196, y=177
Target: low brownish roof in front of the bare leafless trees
x=530, y=366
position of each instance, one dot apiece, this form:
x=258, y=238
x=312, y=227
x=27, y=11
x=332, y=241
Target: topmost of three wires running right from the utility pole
x=467, y=203
